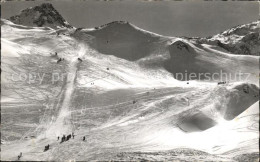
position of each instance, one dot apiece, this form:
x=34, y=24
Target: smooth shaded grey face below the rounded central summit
x=123, y=40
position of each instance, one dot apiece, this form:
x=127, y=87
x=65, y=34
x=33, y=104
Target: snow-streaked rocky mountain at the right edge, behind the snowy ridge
x=242, y=39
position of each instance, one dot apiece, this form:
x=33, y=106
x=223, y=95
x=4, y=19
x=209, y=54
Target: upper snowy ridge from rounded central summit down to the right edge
x=176, y=55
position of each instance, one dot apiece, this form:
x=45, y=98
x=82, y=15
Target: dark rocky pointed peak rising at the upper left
x=39, y=16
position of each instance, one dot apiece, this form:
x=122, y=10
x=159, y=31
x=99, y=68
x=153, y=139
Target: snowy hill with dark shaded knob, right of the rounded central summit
x=205, y=63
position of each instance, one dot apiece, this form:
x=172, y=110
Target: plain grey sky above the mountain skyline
x=169, y=18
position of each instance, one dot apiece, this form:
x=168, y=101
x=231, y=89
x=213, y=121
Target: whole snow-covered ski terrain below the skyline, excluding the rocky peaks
x=116, y=85
